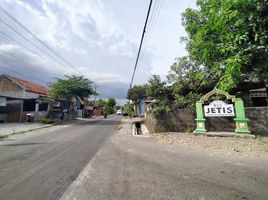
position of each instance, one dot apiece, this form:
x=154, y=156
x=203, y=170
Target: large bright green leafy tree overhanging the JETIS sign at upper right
x=229, y=38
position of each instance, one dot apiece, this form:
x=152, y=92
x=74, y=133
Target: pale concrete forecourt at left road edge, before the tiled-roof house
x=12, y=128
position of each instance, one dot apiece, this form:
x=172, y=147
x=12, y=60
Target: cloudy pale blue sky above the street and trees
x=98, y=39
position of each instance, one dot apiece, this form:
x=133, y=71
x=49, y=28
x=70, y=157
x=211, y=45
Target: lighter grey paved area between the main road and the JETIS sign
x=135, y=168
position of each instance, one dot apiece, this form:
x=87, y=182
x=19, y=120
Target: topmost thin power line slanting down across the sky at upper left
x=37, y=38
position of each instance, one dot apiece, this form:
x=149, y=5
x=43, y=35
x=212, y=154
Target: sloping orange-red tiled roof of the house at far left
x=32, y=87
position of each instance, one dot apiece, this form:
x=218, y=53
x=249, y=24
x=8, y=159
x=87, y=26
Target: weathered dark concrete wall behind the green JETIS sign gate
x=182, y=120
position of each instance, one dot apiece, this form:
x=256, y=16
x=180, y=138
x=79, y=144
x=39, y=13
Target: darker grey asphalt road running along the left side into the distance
x=42, y=166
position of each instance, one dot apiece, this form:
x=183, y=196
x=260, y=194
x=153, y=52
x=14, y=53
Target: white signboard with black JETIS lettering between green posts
x=219, y=109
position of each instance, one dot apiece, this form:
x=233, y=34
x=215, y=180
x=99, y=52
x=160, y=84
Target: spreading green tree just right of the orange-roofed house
x=70, y=87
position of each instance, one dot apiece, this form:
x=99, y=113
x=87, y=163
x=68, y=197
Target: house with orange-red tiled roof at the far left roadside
x=21, y=100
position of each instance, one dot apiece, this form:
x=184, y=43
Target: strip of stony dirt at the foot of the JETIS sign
x=245, y=147
